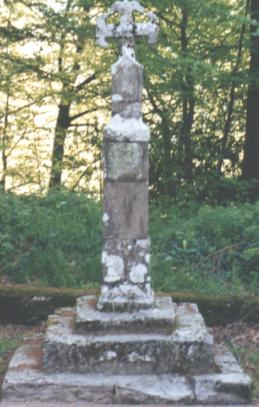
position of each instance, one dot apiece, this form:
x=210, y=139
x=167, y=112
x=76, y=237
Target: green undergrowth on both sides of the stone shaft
x=56, y=241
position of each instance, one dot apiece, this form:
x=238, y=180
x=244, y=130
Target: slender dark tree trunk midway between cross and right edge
x=188, y=105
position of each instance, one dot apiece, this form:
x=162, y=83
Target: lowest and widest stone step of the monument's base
x=25, y=380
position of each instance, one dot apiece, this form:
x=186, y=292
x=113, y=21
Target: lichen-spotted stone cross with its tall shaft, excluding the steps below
x=126, y=245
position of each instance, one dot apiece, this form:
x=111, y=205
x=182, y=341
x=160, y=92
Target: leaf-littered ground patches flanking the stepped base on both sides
x=241, y=339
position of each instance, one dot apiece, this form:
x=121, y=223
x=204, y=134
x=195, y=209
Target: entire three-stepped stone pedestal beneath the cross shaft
x=162, y=355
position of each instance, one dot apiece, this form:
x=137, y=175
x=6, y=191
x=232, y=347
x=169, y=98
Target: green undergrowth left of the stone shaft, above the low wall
x=54, y=240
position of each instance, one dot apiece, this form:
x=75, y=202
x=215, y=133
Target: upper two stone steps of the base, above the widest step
x=185, y=348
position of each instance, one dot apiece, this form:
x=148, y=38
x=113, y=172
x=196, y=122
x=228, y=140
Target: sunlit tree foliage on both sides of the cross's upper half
x=196, y=80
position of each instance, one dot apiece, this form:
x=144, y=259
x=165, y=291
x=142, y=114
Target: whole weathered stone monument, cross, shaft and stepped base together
x=126, y=346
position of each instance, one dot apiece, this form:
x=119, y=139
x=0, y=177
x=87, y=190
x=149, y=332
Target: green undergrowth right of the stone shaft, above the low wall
x=206, y=249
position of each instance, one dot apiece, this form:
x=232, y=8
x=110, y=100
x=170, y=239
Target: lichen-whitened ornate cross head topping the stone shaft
x=127, y=29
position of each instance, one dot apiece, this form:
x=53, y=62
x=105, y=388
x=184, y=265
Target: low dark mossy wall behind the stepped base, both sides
x=29, y=305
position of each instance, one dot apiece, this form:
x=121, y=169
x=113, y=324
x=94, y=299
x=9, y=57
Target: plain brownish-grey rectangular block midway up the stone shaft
x=126, y=210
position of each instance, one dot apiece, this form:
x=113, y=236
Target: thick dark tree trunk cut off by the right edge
x=251, y=147
